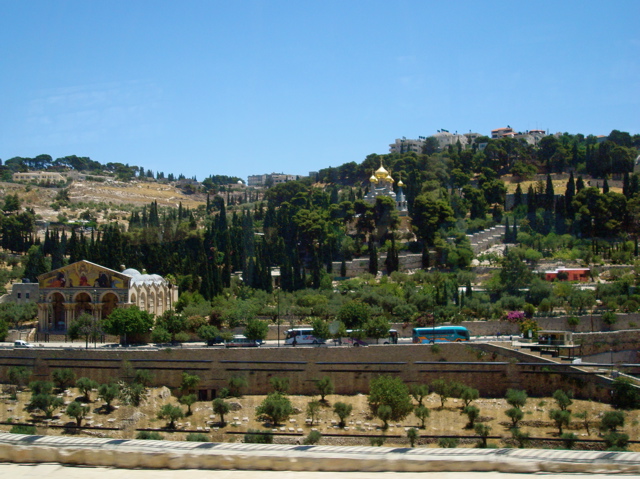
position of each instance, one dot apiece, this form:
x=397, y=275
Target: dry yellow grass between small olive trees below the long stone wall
x=447, y=421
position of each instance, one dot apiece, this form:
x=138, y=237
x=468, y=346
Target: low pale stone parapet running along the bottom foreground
x=132, y=454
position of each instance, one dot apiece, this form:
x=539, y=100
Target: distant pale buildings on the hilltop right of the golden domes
x=444, y=139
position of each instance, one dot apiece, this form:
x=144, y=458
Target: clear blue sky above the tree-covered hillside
x=249, y=87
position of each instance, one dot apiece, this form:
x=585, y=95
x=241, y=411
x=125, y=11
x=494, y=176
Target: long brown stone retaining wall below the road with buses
x=489, y=368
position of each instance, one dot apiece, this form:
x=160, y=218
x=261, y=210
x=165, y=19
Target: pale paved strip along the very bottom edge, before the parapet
x=57, y=471
